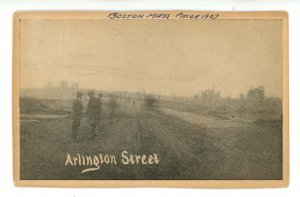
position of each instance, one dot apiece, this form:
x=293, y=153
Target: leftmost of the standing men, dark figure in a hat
x=76, y=115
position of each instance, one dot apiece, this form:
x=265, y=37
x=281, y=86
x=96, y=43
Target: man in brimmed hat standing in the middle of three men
x=93, y=112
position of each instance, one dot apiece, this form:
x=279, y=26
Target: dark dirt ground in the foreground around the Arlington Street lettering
x=186, y=151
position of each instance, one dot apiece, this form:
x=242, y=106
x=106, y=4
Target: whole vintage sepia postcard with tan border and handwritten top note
x=151, y=99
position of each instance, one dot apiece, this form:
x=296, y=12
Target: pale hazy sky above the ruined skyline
x=159, y=56
